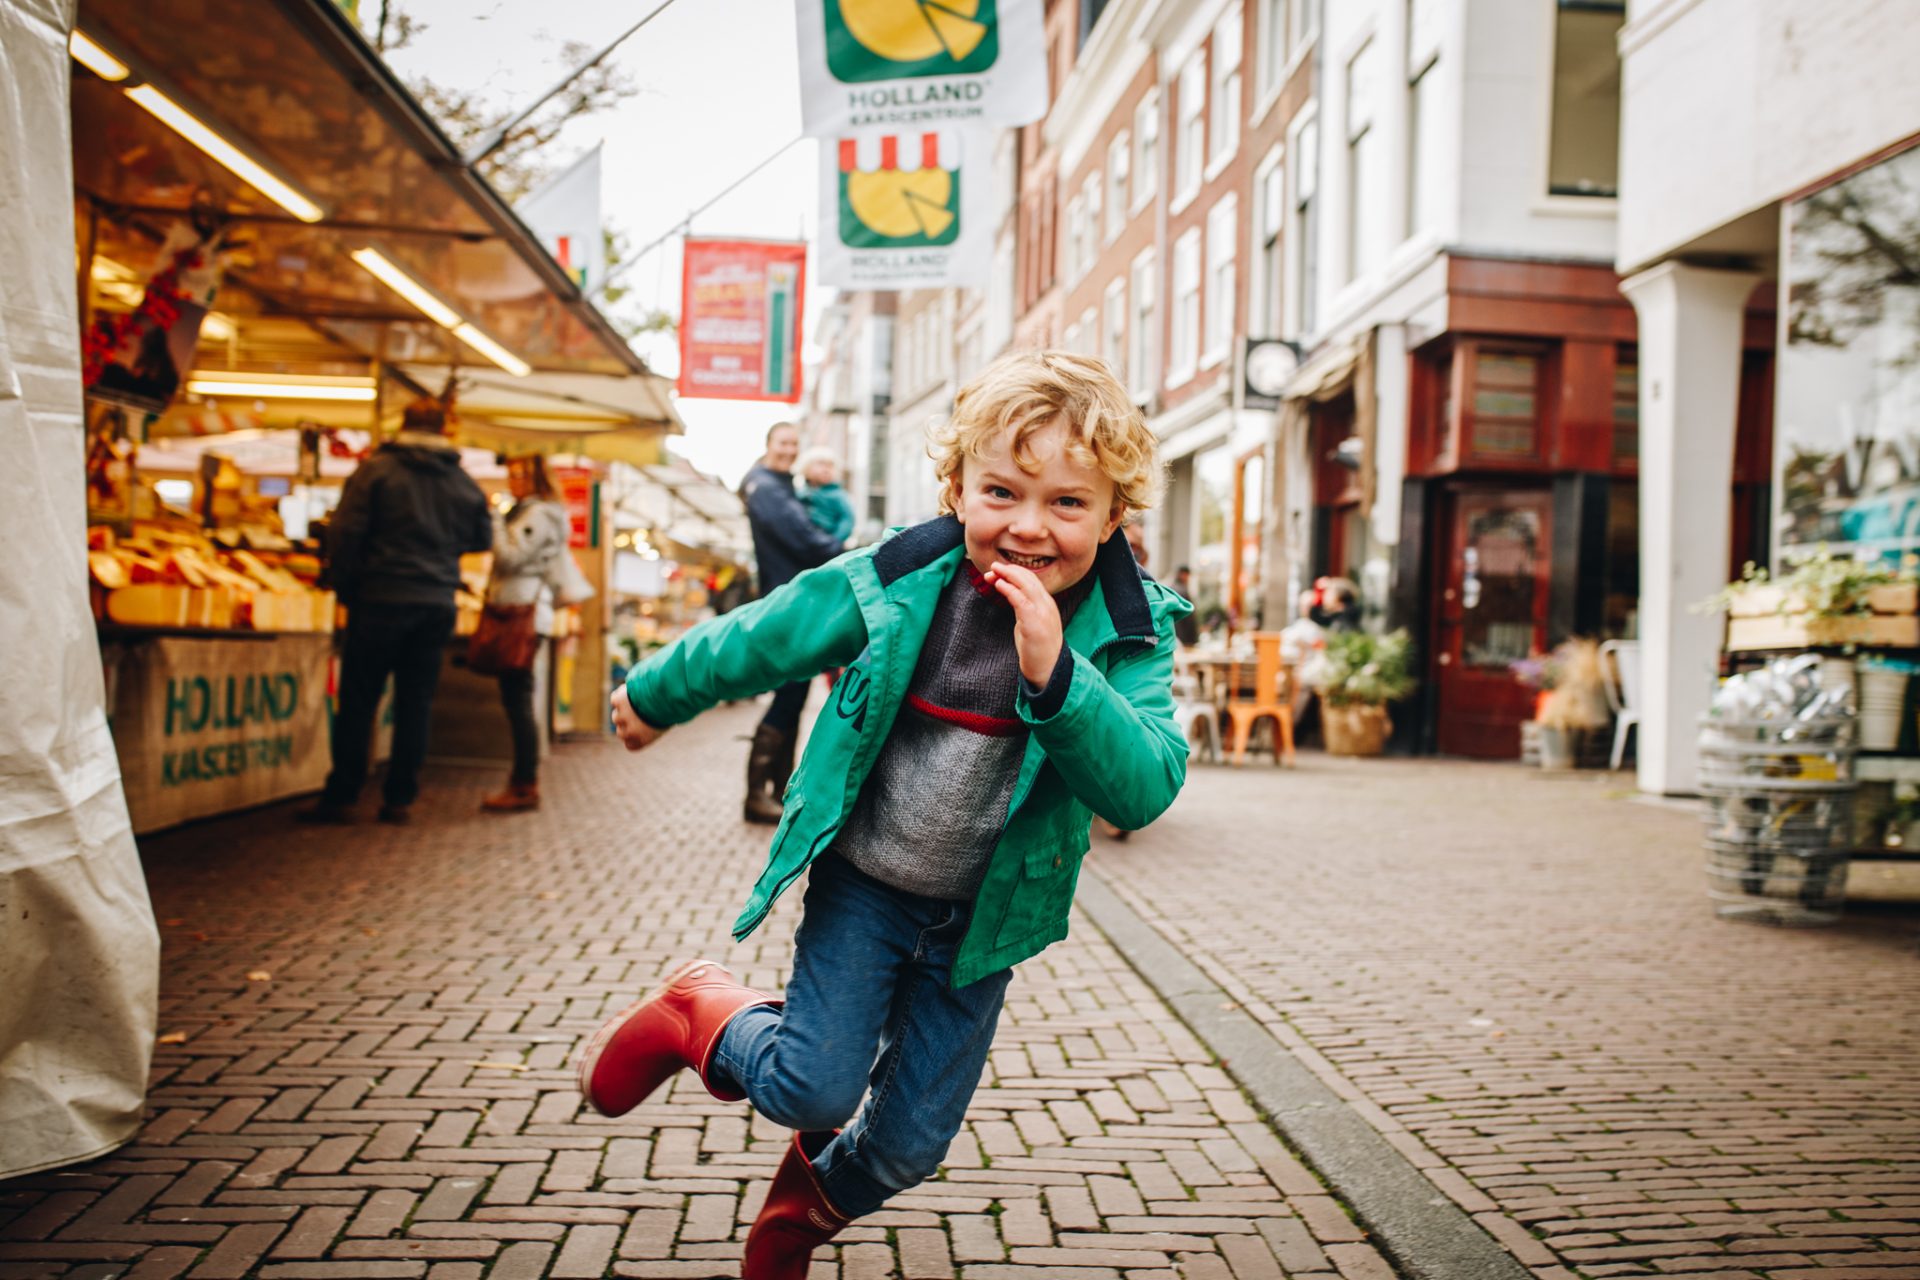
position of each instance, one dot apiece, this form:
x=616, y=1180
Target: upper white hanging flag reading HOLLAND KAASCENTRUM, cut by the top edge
x=921, y=64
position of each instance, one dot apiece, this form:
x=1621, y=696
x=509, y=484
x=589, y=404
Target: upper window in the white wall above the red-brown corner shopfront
x=1585, y=151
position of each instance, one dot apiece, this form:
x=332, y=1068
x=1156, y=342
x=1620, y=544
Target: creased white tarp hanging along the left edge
x=80, y=955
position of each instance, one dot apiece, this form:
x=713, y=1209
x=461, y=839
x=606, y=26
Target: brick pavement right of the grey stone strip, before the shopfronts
x=1520, y=982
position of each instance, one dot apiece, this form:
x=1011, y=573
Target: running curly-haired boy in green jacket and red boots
x=1007, y=676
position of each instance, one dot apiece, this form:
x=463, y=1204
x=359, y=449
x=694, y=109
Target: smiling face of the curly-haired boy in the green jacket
x=1049, y=521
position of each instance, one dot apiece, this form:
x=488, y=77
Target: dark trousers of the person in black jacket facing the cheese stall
x=404, y=642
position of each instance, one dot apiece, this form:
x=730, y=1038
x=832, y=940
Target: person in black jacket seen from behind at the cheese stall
x=395, y=557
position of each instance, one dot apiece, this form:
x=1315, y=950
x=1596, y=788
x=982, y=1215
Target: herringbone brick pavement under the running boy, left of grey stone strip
x=364, y=1072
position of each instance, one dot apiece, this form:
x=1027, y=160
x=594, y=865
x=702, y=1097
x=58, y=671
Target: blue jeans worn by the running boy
x=869, y=1012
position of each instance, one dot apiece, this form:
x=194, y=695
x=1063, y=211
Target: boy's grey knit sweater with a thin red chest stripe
x=932, y=811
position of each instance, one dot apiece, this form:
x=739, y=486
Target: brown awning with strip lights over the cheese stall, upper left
x=295, y=85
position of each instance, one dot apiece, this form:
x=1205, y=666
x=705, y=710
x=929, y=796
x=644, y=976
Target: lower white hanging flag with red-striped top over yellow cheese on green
x=903, y=212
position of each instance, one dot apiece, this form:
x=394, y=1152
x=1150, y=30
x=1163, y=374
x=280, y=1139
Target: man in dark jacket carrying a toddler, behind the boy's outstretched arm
x=784, y=542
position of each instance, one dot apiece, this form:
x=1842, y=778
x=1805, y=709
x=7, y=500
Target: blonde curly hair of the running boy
x=1024, y=394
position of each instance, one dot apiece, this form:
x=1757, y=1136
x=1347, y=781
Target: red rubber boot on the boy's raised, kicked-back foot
x=675, y=1028
